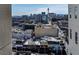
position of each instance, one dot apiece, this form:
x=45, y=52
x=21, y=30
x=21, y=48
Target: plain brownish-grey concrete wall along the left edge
x=5, y=29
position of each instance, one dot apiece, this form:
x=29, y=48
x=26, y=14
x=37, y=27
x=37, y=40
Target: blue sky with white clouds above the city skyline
x=27, y=9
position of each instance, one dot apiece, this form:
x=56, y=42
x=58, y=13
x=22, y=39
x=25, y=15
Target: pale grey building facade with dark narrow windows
x=72, y=45
